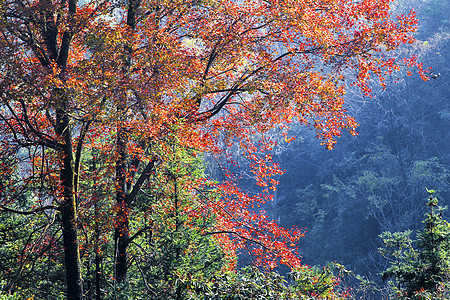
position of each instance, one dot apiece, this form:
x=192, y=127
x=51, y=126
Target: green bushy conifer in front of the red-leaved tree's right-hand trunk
x=177, y=253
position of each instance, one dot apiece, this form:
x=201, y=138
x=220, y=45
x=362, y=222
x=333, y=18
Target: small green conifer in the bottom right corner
x=421, y=267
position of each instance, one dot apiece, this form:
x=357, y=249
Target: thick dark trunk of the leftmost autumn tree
x=68, y=205
